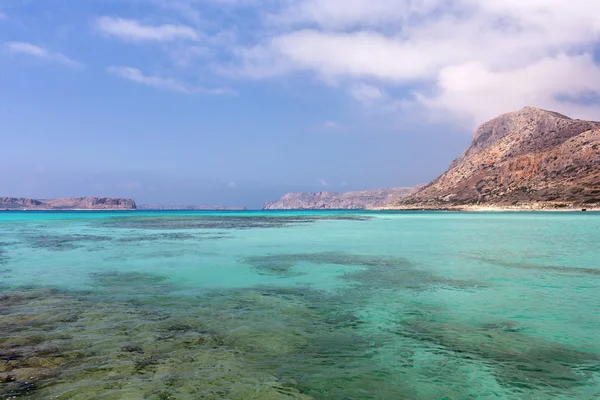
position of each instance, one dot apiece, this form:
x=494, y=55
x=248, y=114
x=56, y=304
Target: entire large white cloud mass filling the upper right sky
x=470, y=59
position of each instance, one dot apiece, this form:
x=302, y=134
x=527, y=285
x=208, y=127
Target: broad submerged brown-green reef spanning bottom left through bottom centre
x=221, y=346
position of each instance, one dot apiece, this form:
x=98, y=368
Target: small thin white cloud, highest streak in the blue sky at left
x=135, y=31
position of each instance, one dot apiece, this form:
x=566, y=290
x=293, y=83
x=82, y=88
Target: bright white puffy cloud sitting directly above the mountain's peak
x=462, y=89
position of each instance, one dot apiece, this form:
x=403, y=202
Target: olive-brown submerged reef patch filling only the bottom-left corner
x=117, y=347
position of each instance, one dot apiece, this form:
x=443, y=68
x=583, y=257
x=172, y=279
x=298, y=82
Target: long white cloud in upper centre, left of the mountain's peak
x=331, y=55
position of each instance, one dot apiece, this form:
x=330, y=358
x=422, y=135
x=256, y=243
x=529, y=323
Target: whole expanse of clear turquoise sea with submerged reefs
x=299, y=305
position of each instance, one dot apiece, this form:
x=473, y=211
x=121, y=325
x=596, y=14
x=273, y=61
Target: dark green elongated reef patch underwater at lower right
x=518, y=360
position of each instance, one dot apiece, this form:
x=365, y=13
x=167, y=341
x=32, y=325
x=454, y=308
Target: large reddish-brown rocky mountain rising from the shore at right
x=530, y=158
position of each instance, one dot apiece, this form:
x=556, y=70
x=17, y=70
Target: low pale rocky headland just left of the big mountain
x=339, y=201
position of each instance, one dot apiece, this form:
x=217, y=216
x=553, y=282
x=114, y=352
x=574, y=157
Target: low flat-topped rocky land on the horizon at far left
x=77, y=203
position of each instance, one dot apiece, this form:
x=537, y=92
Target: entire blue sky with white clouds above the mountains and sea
x=235, y=102
